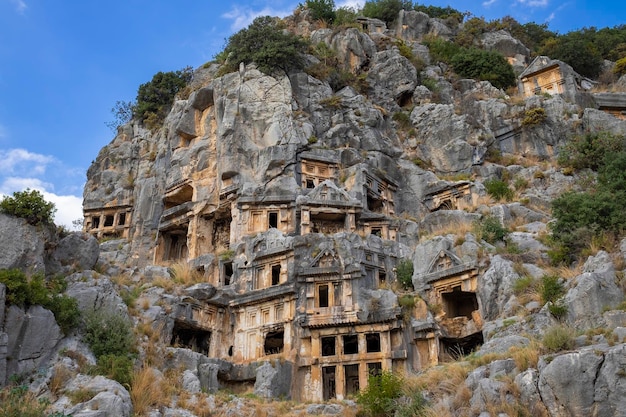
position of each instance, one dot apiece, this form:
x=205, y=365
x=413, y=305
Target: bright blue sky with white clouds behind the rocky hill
x=64, y=64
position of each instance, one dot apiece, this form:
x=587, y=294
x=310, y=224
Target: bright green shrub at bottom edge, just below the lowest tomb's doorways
x=379, y=397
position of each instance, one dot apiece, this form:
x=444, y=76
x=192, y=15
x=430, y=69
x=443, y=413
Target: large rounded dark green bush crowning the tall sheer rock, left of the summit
x=265, y=43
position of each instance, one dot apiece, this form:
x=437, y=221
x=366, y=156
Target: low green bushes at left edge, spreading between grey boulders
x=25, y=291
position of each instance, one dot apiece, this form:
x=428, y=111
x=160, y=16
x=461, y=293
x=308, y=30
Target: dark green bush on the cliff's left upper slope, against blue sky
x=155, y=98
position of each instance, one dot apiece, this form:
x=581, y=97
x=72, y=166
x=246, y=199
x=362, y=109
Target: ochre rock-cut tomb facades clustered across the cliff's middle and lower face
x=289, y=287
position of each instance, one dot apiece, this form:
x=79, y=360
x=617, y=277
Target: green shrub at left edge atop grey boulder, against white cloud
x=29, y=205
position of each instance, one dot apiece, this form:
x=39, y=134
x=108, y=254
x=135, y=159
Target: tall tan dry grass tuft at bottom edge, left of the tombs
x=147, y=391
